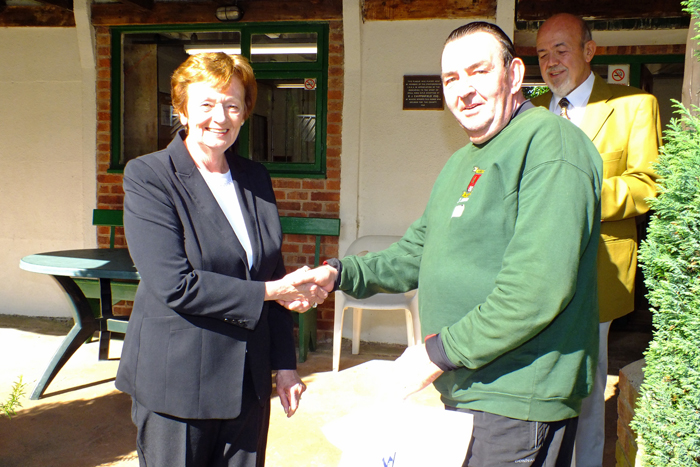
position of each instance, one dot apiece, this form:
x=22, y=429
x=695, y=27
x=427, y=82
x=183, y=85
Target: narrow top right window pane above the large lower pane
x=284, y=47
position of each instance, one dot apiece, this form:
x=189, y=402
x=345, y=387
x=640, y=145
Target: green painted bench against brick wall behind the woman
x=308, y=336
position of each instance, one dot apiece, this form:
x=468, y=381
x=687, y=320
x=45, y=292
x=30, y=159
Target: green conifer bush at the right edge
x=667, y=418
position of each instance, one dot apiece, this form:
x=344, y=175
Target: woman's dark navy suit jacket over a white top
x=199, y=313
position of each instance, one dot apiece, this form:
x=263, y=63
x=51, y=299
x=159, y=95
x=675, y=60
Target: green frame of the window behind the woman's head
x=317, y=70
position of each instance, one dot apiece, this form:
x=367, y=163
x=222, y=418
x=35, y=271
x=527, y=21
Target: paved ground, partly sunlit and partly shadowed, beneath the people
x=83, y=421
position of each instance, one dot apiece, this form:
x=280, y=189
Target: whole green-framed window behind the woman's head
x=287, y=129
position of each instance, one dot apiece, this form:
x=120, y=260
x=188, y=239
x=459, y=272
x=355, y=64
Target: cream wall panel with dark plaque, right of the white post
x=402, y=151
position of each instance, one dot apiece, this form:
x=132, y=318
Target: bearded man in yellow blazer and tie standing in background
x=623, y=123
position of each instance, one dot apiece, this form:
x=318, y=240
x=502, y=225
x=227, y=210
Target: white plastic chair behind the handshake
x=383, y=301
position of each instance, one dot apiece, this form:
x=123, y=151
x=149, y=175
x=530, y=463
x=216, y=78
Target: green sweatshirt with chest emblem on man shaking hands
x=505, y=255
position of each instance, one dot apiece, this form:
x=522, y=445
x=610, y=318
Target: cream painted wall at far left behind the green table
x=46, y=178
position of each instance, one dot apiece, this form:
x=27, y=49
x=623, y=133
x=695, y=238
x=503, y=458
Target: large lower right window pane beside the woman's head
x=283, y=124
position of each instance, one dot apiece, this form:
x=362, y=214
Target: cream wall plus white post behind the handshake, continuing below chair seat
x=399, y=153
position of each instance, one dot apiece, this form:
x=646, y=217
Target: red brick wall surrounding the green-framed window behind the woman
x=295, y=196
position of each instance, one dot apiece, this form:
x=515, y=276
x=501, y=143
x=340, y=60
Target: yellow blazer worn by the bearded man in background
x=623, y=122
